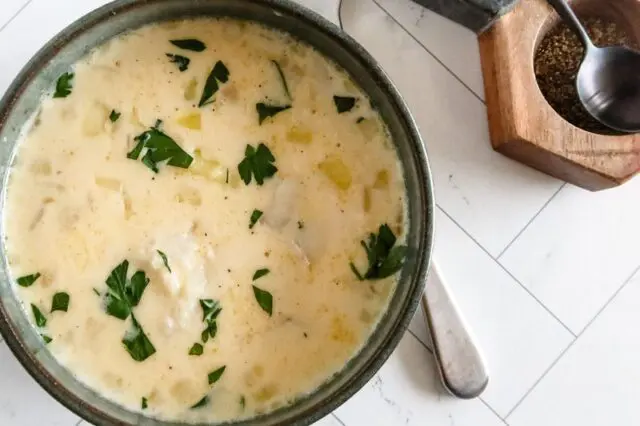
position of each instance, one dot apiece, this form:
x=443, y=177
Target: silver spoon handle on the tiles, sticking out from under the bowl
x=459, y=361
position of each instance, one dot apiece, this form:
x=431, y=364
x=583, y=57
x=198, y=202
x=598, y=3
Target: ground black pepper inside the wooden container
x=556, y=65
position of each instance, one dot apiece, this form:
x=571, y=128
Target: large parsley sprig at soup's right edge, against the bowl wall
x=384, y=259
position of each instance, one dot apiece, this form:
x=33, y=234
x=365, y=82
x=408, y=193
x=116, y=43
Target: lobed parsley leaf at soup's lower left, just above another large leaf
x=122, y=294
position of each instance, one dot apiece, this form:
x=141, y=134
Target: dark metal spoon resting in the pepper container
x=608, y=81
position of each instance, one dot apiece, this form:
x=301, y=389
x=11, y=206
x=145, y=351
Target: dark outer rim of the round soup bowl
x=420, y=267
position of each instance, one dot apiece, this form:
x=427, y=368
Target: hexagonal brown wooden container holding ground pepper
x=523, y=126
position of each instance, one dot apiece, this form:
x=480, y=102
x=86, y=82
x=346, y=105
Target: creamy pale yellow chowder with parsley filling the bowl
x=205, y=220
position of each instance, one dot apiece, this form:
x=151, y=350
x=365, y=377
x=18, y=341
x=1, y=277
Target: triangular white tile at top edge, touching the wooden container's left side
x=454, y=45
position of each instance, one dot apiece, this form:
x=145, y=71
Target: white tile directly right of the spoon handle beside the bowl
x=520, y=339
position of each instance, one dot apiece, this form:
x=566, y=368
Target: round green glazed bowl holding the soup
x=23, y=97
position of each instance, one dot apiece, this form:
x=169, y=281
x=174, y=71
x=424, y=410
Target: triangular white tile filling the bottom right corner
x=595, y=383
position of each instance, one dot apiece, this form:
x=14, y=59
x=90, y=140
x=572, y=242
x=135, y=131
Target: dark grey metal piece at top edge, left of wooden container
x=477, y=15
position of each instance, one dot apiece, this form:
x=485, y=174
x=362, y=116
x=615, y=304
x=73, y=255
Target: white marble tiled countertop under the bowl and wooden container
x=545, y=273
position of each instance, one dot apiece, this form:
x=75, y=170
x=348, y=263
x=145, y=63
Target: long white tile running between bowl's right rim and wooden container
x=491, y=196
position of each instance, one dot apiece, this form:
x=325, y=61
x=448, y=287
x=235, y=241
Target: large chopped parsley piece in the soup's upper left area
x=160, y=147
